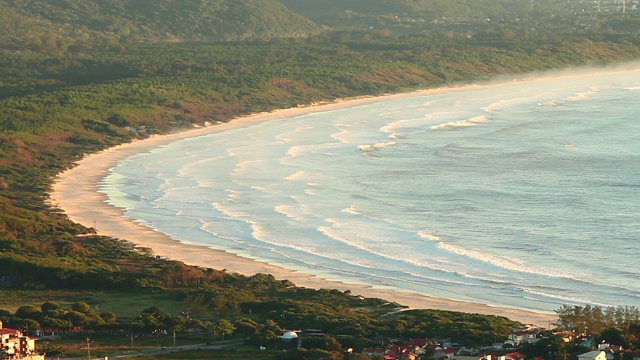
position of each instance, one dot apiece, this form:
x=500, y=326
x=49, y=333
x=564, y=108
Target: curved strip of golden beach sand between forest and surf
x=76, y=192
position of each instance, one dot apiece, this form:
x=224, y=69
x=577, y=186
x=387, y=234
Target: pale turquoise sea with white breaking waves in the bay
x=523, y=195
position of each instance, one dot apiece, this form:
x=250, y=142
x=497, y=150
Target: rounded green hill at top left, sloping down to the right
x=34, y=21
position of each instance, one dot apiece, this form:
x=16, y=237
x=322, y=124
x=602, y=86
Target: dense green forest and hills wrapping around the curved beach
x=79, y=76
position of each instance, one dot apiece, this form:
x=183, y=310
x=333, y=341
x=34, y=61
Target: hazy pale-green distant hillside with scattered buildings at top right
x=405, y=17
